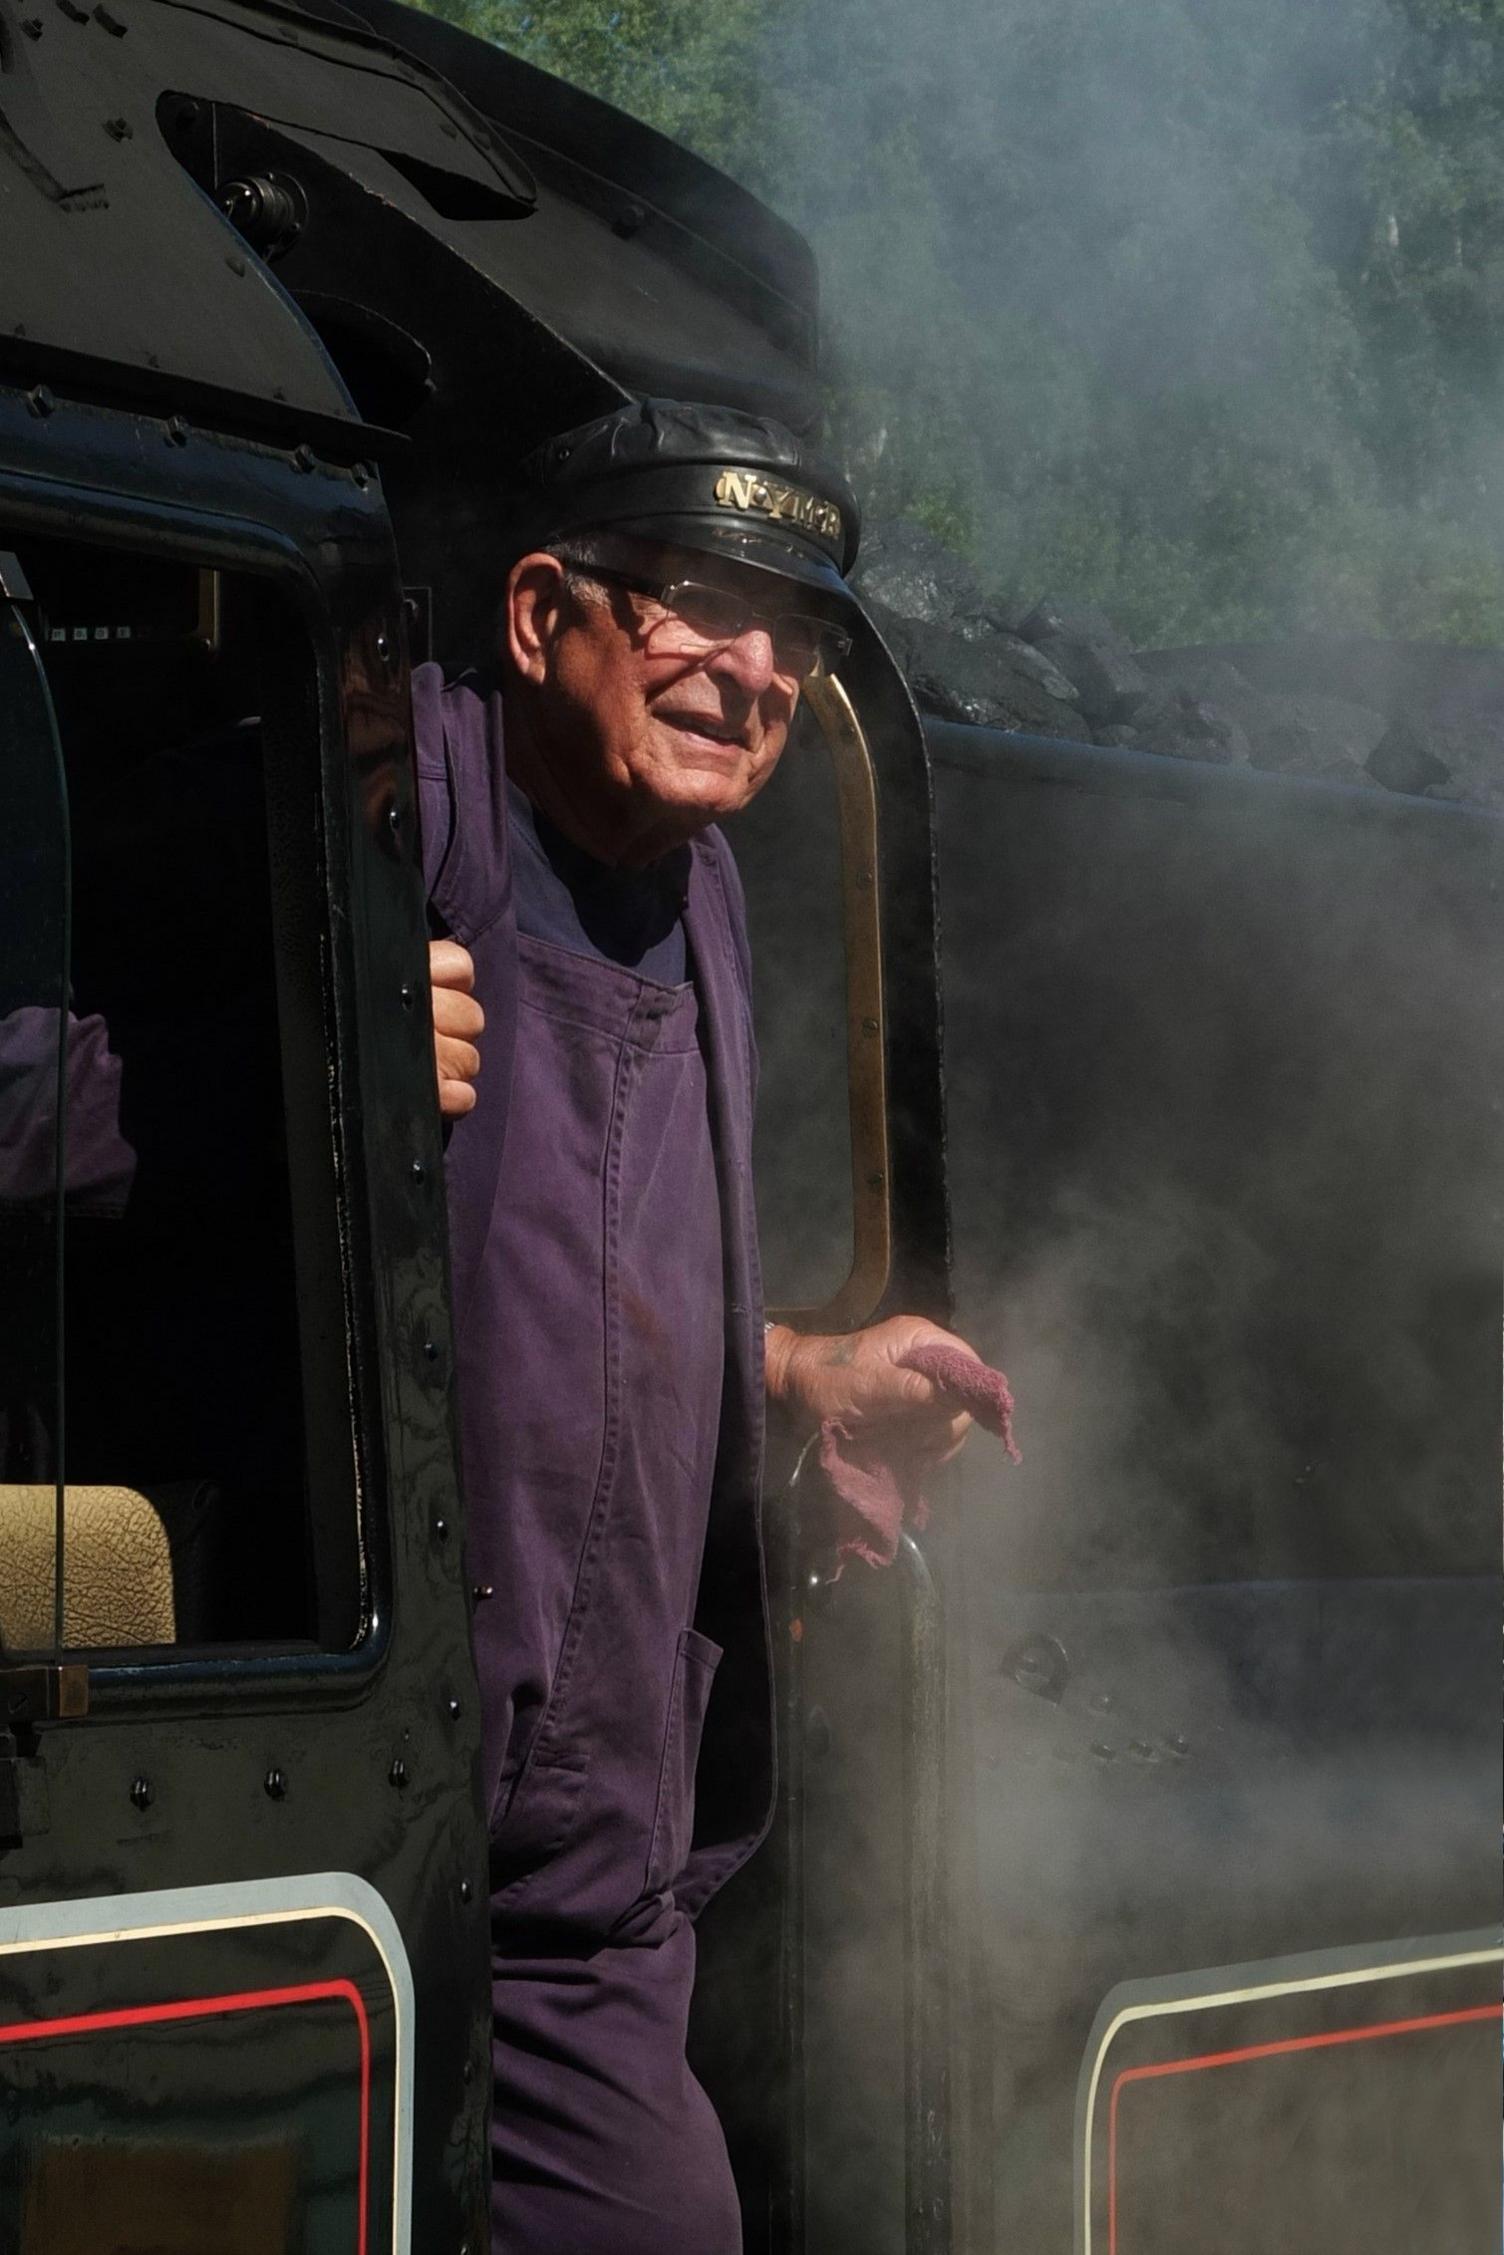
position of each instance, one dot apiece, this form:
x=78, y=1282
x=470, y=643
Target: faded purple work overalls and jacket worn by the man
x=610, y=1350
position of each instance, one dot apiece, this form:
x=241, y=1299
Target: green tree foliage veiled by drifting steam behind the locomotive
x=1192, y=308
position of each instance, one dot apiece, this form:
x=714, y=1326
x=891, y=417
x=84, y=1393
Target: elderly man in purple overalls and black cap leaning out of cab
x=682, y=576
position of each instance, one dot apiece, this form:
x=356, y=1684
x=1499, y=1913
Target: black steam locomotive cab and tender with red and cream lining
x=1138, y=1830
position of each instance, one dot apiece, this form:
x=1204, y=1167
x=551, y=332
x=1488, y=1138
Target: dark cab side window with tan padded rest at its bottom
x=204, y=1438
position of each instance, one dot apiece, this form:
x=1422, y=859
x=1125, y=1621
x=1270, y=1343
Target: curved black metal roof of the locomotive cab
x=513, y=206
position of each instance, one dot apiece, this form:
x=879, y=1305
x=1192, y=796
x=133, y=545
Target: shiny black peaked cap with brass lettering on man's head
x=696, y=477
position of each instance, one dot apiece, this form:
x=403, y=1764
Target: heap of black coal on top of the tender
x=1415, y=718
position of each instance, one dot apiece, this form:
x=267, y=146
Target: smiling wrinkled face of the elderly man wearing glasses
x=648, y=741
